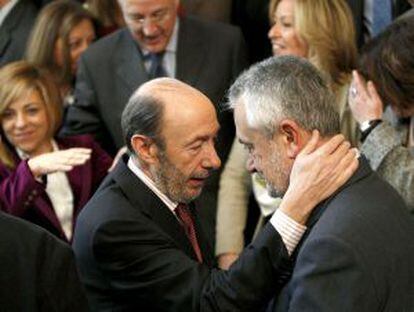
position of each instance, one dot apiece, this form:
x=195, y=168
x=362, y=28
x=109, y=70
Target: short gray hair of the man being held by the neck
x=286, y=87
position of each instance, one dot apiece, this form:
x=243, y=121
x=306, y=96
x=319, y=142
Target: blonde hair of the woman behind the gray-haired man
x=326, y=26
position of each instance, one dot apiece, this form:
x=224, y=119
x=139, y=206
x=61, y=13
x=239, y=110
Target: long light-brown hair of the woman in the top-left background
x=55, y=21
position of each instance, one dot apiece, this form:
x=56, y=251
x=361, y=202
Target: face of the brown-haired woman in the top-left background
x=80, y=38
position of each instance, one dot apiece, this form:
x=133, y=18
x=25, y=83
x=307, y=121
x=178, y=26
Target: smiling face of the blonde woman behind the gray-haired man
x=283, y=35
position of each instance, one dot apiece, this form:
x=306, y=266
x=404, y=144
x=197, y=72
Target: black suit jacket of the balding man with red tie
x=133, y=255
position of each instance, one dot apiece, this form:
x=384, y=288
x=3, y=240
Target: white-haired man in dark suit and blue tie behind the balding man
x=206, y=55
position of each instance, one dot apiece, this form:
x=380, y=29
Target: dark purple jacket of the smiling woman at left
x=23, y=196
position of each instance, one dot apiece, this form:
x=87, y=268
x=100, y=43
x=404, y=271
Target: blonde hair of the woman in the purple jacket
x=16, y=81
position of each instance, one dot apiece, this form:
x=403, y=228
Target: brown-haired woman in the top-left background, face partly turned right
x=62, y=32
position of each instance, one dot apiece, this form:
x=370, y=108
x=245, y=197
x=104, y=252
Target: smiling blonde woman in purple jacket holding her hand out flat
x=43, y=179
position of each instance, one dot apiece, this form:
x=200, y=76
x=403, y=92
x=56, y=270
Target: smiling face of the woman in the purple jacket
x=25, y=124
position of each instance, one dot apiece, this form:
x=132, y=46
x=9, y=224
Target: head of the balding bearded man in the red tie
x=171, y=128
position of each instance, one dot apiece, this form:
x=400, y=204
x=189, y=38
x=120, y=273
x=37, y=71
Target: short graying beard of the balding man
x=173, y=182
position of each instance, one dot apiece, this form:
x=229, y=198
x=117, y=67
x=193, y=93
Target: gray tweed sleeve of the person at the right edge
x=393, y=162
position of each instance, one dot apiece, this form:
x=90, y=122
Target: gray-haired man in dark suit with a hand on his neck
x=357, y=253
